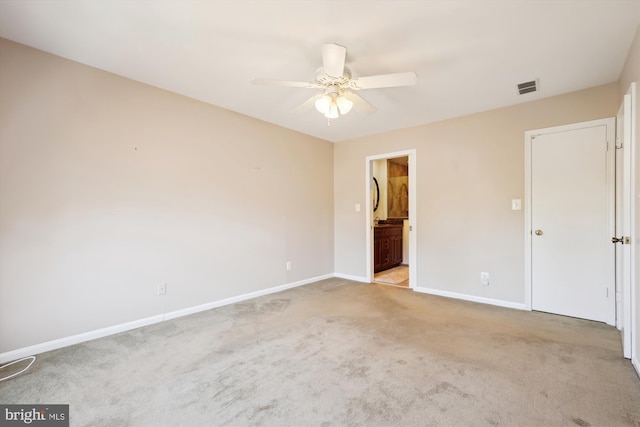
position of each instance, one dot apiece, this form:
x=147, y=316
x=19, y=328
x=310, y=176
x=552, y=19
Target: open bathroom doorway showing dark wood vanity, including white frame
x=391, y=212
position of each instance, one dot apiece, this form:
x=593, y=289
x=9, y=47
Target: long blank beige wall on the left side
x=109, y=187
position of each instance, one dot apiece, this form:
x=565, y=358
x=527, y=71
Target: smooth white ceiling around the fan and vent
x=468, y=55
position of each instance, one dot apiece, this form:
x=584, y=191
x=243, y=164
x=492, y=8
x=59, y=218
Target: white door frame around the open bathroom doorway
x=413, y=242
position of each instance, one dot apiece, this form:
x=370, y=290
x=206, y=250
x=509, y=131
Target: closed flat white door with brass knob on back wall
x=571, y=220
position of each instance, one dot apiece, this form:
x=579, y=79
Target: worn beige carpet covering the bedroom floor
x=339, y=353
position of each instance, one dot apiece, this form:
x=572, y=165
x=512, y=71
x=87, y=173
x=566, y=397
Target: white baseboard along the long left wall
x=123, y=327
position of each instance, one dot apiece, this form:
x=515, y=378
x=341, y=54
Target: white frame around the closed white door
x=528, y=228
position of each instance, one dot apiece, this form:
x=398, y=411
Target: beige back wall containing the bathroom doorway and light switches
x=468, y=170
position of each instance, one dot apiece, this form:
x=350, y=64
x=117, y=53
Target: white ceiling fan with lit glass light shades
x=337, y=86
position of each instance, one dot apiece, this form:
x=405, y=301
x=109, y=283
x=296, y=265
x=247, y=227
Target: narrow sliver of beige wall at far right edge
x=631, y=73
